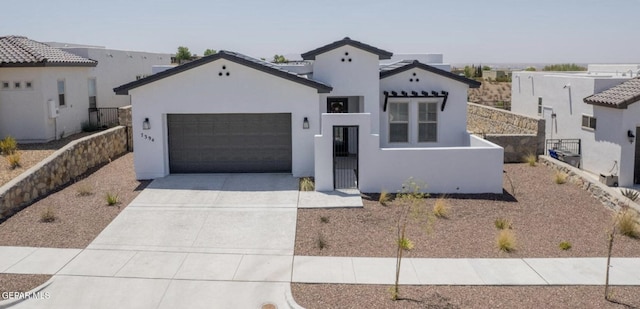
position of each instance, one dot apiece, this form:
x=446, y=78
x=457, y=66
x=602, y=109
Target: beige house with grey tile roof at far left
x=43, y=90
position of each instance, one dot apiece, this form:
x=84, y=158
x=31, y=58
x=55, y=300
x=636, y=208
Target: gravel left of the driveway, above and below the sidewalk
x=79, y=218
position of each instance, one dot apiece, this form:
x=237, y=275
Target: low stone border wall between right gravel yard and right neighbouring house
x=609, y=197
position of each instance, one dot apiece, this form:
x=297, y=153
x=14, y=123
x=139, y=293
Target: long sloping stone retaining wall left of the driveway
x=60, y=168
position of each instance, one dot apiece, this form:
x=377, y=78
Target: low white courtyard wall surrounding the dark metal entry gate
x=475, y=168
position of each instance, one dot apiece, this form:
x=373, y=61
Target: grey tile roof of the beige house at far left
x=20, y=51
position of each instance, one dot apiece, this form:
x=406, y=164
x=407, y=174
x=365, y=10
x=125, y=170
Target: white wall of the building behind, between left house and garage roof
x=118, y=67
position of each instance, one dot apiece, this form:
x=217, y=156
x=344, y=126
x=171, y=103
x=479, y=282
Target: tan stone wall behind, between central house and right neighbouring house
x=519, y=135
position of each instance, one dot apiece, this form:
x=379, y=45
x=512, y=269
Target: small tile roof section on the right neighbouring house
x=619, y=96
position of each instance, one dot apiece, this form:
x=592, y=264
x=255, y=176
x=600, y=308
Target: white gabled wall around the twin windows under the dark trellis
x=452, y=122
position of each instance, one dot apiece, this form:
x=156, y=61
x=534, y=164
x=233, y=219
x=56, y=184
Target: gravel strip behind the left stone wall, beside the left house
x=31, y=154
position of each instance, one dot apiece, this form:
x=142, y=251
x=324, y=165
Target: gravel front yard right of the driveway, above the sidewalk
x=542, y=214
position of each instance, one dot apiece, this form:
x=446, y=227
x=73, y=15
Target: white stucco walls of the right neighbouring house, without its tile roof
x=600, y=147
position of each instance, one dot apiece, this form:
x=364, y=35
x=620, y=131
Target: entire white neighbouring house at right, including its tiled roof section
x=597, y=107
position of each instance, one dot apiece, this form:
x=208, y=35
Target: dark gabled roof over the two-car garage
x=257, y=64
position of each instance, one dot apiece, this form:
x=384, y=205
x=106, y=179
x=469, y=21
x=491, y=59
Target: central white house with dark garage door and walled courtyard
x=349, y=122
